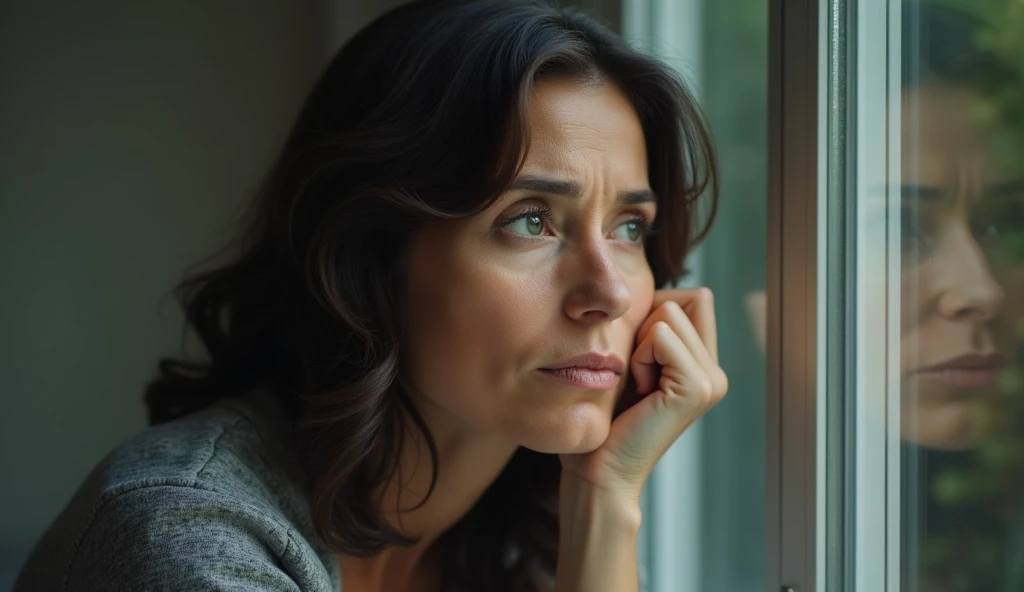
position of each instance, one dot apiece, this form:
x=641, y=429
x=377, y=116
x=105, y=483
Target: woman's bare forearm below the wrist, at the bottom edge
x=599, y=533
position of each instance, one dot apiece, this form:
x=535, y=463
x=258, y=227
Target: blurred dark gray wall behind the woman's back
x=131, y=135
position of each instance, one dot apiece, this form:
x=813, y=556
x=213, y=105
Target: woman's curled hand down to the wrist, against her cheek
x=677, y=376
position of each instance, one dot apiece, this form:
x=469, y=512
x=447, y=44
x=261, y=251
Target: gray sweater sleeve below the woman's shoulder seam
x=186, y=538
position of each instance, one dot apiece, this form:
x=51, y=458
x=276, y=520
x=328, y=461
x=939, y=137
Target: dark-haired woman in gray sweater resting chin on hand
x=438, y=359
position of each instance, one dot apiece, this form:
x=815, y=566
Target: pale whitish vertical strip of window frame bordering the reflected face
x=876, y=170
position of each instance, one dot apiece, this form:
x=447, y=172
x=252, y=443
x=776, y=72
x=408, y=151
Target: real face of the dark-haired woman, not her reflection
x=553, y=271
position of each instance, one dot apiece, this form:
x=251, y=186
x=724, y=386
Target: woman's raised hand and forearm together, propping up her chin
x=677, y=377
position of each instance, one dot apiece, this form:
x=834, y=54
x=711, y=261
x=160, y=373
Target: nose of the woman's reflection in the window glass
x=970, y=291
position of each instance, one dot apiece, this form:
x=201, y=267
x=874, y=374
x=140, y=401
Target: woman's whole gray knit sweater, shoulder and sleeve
x=212, y=501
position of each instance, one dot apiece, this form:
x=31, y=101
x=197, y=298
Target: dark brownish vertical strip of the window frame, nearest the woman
x=794, y=446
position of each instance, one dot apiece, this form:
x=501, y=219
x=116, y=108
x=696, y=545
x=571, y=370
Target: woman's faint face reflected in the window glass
x=962, y=287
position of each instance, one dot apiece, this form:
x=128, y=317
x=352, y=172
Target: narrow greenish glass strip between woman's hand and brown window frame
x=734, y=92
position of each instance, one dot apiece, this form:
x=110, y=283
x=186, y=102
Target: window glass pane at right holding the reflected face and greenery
x=961, y=295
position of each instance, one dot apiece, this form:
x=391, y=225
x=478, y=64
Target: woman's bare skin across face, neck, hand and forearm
x=496, y=299
